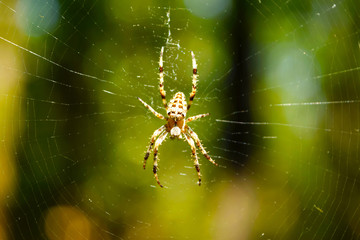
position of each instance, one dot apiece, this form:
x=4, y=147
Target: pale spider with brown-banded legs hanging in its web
x=176, y=121
